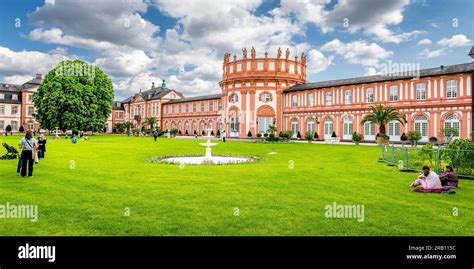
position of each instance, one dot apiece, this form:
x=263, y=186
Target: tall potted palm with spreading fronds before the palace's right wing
x=381, y=115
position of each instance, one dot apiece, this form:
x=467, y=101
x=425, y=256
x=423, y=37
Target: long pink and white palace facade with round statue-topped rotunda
x=259, y=92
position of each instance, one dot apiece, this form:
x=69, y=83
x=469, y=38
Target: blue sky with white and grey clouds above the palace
x=137, y=42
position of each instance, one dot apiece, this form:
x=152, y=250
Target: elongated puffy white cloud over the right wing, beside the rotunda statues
x=358, y=52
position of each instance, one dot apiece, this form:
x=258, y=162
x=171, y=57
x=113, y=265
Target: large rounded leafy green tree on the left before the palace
x=74, y=96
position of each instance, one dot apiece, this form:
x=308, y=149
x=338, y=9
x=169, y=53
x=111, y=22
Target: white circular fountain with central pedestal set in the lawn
x=208, y=158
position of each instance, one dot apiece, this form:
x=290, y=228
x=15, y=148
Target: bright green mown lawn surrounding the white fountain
x=111, y=174
